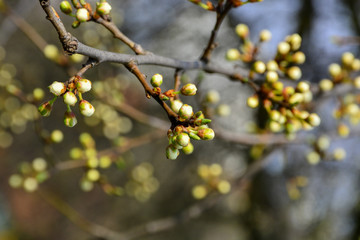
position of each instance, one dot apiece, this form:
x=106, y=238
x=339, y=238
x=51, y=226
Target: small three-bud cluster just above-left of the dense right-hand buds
x=247, y=50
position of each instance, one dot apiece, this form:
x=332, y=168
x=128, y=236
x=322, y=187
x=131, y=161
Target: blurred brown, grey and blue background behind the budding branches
x=143, y=195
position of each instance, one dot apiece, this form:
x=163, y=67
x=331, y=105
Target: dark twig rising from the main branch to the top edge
x=211, y=43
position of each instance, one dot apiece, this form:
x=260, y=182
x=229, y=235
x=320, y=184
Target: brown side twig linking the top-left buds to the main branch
x=119, y=35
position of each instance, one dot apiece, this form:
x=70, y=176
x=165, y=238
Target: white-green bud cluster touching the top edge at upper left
x=84, y=11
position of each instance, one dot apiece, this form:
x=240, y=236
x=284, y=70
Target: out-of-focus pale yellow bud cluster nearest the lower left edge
x=30, y=176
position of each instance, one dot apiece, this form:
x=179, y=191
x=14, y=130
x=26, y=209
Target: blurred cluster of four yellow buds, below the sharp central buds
x=213, y=181
